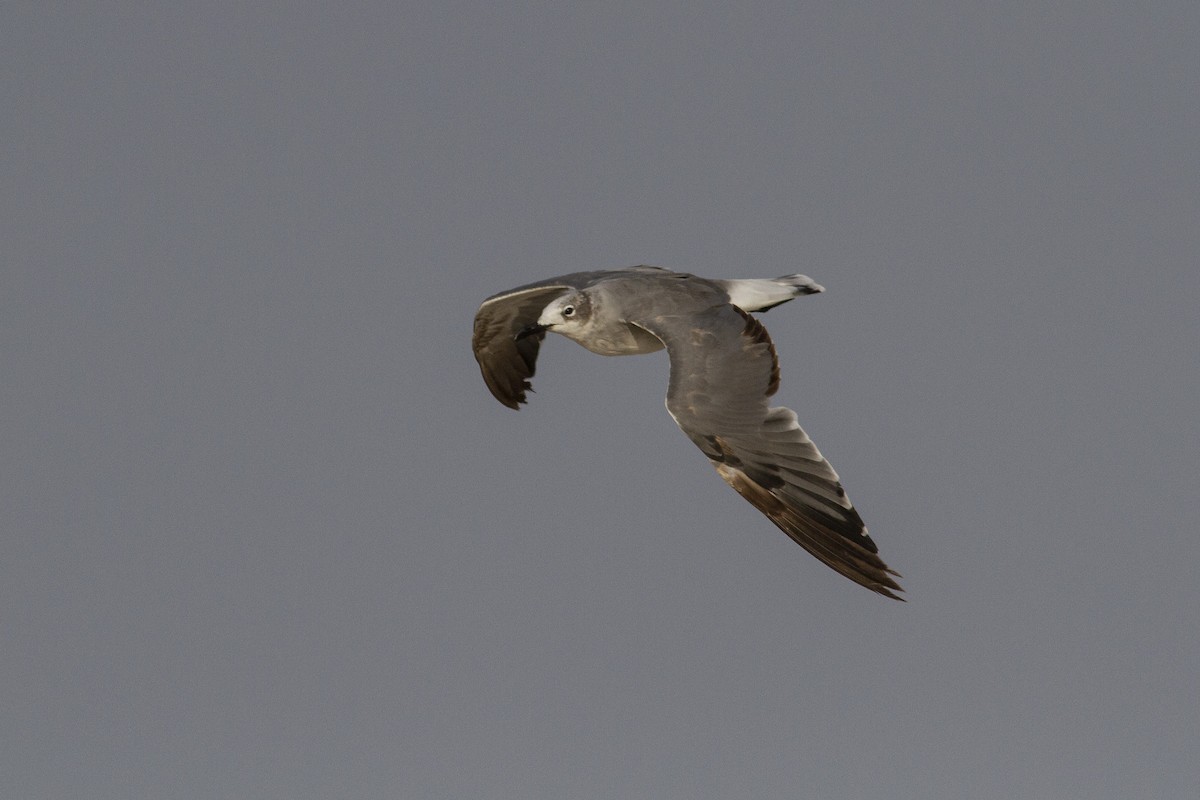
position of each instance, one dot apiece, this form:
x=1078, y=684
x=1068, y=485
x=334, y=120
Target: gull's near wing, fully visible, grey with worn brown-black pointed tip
x=723, y=370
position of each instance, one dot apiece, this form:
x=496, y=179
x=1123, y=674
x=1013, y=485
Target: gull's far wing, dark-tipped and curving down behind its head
x=507, y=364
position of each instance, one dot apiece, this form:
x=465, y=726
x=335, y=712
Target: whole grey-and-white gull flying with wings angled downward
x=724, y=370
